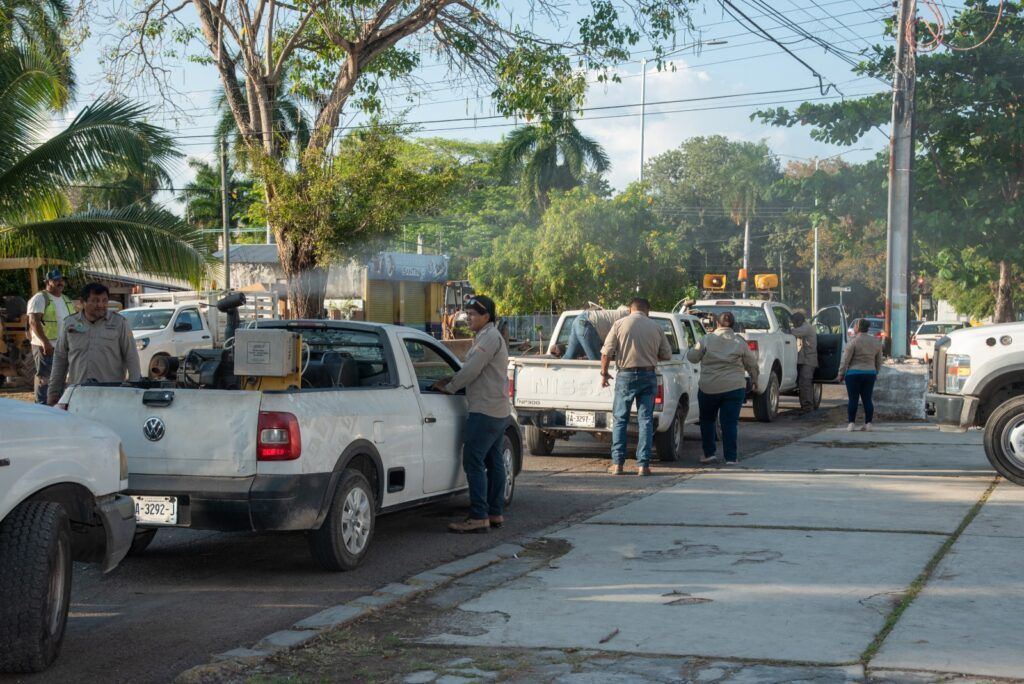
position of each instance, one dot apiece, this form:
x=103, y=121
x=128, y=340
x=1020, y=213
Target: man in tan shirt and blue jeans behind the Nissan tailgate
x=637, y=345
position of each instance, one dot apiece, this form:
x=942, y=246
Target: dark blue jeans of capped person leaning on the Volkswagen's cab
x=482, y=459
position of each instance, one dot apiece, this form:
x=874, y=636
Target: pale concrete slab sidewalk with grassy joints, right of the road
x=844, y=557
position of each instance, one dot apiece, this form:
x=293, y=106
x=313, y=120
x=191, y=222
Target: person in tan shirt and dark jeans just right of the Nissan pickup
x=724, y=357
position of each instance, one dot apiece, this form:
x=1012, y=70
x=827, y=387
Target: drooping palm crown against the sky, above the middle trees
x=552, y=155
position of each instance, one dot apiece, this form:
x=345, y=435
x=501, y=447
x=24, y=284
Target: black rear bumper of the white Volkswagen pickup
x=261, y=503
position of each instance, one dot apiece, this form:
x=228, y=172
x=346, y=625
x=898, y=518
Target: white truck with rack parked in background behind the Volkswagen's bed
x=174, y=324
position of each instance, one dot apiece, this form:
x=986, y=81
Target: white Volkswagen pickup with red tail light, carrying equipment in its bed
x=361, y=436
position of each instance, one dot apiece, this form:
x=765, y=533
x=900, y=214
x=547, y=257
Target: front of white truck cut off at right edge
x=977, y=380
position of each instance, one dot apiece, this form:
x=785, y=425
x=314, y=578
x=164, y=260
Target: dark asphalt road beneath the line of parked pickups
x=195, y=594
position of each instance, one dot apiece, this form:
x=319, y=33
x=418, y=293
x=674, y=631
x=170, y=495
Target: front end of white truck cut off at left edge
x=61, y=501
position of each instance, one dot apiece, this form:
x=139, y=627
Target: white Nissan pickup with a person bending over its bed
x=556, y=399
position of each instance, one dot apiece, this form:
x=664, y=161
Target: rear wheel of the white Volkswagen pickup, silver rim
x=344, y=540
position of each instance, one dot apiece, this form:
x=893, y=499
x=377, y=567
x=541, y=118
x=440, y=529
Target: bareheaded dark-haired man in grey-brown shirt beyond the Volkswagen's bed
x=95, y=345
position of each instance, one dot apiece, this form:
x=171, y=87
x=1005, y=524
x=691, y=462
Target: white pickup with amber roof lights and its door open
x=766, y=325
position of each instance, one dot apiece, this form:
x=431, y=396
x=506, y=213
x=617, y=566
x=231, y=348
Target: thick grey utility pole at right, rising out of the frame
x=901, y=182
